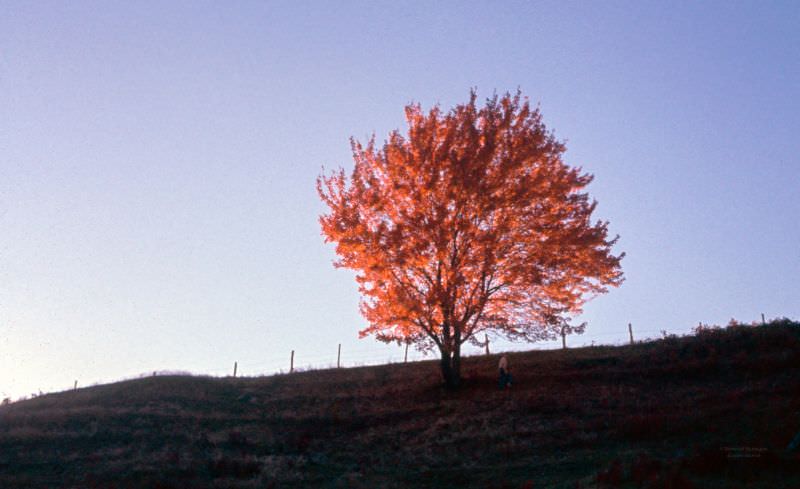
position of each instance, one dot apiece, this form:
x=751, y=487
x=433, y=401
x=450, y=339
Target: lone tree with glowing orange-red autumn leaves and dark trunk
x=470, y=223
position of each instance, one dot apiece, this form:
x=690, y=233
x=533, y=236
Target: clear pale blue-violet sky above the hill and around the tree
x=157, y=165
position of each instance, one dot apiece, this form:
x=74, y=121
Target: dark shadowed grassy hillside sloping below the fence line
x=711, y=411
